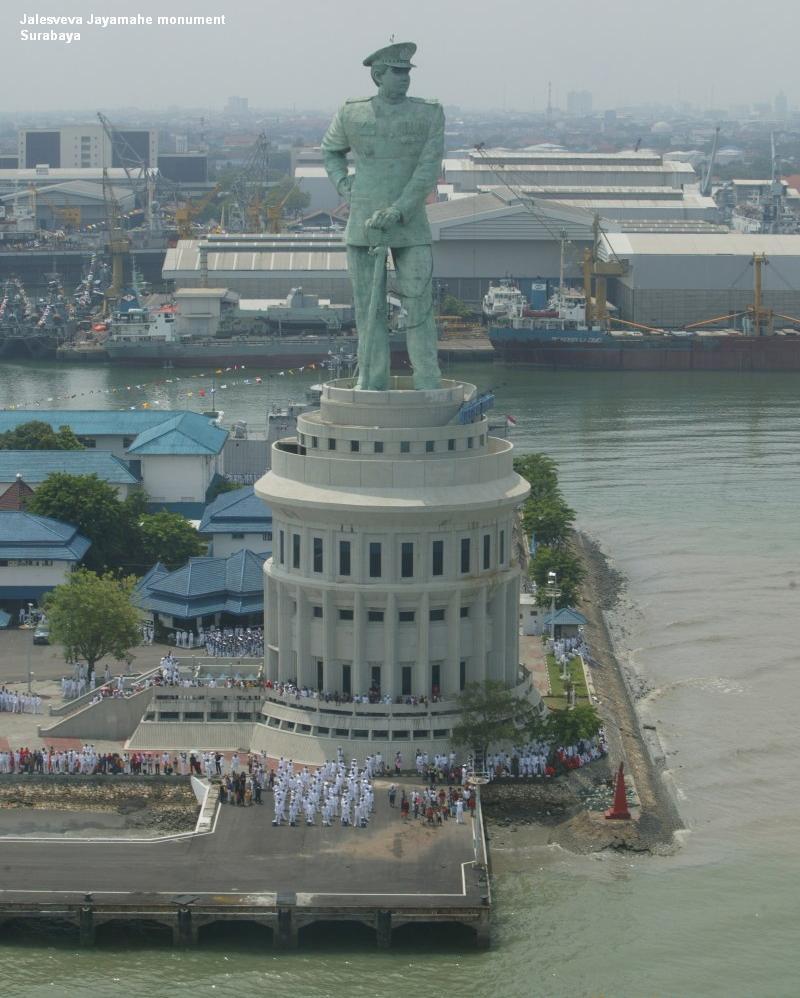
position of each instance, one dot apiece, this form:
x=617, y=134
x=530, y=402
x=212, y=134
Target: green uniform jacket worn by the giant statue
x=398, y=151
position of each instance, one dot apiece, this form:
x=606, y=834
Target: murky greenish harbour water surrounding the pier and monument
x=690, y=484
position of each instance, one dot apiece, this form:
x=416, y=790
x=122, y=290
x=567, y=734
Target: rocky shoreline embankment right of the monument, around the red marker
x=568, y=810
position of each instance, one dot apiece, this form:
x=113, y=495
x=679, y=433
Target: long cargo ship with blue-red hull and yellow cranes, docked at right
x=559, y=337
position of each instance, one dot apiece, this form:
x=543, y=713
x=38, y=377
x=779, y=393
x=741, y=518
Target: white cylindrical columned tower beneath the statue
x=393, y=572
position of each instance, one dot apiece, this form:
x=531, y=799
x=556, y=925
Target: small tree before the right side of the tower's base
x=490, y=714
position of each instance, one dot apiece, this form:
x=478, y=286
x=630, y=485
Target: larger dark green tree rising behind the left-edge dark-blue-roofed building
x=91, y=505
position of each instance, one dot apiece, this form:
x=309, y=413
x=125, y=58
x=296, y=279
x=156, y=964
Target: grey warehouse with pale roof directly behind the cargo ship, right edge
x=677, y=279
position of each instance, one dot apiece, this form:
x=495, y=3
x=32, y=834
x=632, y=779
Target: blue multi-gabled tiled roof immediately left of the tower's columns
x=205, y=585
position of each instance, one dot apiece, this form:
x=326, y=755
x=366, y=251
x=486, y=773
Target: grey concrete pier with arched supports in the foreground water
x=286, y=880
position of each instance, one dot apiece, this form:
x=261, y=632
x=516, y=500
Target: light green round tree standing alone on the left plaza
x=92, y=616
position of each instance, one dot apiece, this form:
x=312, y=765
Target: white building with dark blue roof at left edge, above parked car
x=36, y=555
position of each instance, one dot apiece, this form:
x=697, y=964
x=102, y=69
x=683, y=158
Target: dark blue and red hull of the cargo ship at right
x=606, y=353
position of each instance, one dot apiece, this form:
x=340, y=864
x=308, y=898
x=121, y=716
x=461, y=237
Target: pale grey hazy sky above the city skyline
x=477, y=53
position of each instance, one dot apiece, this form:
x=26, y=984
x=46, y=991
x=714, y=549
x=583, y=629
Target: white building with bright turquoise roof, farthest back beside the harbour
x=175, y=454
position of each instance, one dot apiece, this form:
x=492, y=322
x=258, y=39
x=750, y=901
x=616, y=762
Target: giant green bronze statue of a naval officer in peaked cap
x=398, y=144
